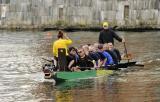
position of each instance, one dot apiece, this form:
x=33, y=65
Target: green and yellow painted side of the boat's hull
x=81, y=75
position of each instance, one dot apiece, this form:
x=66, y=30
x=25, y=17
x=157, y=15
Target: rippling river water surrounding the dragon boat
x=21, y=78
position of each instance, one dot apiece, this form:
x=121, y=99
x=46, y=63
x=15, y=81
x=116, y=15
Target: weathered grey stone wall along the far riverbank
x=79, y=14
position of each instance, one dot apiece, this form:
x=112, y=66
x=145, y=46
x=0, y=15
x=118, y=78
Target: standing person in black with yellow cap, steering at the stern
x=107, y=35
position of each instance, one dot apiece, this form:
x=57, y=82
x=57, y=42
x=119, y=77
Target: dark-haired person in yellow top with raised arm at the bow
x=62, y=42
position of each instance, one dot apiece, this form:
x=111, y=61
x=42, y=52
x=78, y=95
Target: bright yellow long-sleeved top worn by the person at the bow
x=61, y=43
